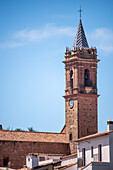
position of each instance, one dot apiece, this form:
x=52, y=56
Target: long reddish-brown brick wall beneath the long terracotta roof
x=16, y=152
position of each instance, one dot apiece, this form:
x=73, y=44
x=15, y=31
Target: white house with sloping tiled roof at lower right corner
x=95, y=152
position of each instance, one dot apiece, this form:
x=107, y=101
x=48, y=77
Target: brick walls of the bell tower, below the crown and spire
x=81, y=120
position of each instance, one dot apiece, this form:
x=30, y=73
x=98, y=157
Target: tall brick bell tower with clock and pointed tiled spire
x=81, y=89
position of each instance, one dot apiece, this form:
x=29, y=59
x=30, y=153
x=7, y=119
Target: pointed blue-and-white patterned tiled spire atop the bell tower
x=80, y=39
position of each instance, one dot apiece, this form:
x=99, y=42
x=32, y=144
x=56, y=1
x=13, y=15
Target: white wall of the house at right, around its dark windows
x=104, y=141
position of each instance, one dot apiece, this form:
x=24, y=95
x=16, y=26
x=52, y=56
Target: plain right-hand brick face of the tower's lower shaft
x=87, y=121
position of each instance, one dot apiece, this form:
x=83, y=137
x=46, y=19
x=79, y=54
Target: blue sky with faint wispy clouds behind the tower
x=33, y=38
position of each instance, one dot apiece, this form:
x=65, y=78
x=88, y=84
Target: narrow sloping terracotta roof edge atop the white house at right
x=94, y=136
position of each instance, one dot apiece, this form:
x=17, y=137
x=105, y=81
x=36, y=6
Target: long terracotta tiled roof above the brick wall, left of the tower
x=33, y=136
